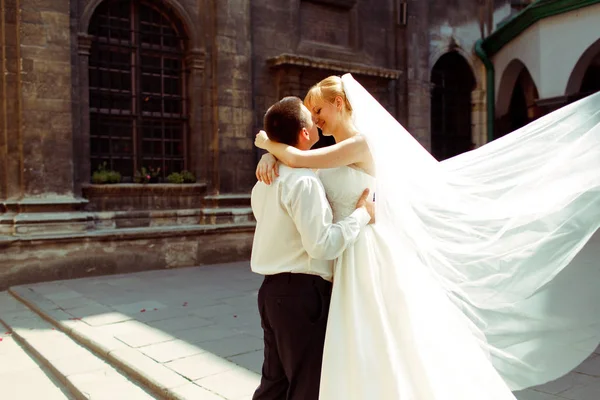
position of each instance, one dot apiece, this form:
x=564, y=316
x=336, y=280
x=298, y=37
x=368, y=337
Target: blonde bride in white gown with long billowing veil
x=476, y=279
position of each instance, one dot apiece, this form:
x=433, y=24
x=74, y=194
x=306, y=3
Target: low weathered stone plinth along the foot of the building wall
x=29, y=261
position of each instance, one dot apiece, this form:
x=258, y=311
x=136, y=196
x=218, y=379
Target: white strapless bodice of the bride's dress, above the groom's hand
x=343, y=186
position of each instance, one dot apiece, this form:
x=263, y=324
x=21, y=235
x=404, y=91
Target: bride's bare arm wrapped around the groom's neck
x=350, y=151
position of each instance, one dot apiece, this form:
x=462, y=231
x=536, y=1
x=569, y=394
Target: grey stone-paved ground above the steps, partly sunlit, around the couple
x=195, y=333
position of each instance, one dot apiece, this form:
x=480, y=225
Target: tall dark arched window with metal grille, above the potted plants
x=138, y=115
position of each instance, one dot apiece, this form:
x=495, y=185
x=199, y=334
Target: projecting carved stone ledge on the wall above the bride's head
x=283, y=60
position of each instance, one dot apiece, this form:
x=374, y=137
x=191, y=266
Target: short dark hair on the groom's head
x=284, y=120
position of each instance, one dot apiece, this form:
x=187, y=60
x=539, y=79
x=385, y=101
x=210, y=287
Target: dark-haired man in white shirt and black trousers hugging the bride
x=294, y=245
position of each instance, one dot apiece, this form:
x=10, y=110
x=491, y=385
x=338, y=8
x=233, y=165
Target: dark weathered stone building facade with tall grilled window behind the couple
x=172, y=85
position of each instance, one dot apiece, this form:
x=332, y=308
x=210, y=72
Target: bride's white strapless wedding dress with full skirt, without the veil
x=378, y=345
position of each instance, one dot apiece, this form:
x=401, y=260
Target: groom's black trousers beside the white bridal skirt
x=293, y=312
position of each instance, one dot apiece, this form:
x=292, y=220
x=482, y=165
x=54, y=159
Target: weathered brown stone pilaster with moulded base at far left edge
x=37, y=146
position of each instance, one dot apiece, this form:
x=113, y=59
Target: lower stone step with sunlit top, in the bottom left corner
x=86, y=375
